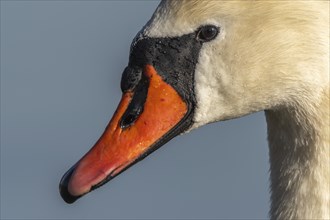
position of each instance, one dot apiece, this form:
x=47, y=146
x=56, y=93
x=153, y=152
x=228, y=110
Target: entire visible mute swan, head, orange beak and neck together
x=197, y=62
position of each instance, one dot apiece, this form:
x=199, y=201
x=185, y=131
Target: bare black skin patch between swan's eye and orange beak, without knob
x=174, y=59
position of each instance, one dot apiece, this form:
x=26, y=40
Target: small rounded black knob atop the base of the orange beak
x=130, y=78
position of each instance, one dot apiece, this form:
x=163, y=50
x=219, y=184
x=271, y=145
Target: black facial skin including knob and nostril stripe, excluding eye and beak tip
x=174, y=60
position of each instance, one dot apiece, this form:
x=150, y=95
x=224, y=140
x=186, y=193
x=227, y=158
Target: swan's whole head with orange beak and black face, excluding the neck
x=198, y=62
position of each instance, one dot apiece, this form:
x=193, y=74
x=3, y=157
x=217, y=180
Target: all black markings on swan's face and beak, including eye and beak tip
x=175, y=61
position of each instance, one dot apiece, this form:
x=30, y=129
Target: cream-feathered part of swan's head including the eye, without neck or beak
x=267, y=54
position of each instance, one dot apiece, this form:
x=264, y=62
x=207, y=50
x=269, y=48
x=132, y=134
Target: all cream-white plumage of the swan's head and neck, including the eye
x=272, y=56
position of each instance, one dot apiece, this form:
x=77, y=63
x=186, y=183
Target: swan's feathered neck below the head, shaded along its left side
x=299, y=162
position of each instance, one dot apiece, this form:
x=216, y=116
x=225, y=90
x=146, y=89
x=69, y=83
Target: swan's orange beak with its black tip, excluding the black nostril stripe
x=121, y=146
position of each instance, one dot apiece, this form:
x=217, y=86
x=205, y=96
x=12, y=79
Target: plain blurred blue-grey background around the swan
x=61, y=64
